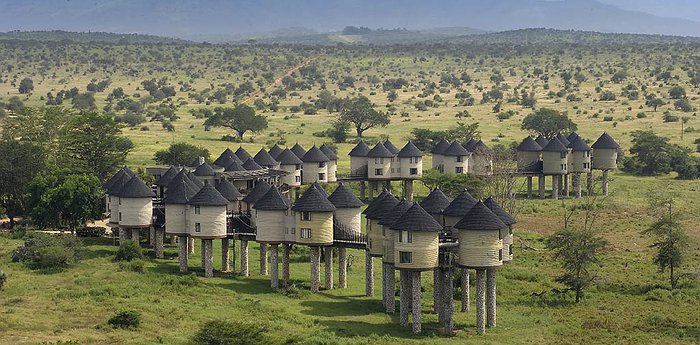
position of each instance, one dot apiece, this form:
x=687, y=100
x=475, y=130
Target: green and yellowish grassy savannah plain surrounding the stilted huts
x=629, y=303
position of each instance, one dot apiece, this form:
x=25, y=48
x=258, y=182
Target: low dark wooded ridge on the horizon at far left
x=107, y=37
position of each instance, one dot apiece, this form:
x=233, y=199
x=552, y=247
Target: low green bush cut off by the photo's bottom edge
x=219, y=332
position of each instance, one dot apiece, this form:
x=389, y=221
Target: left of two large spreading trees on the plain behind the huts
x=241, y=119
